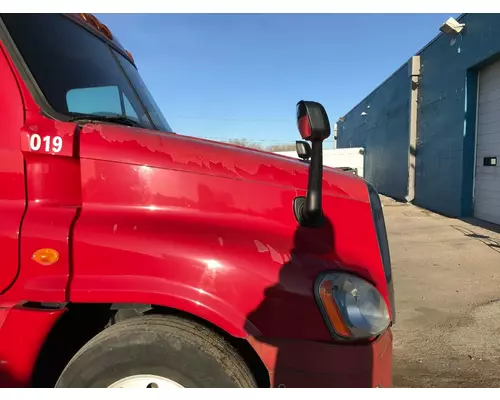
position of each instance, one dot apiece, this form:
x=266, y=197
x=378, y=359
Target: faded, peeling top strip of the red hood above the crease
x=183, y=153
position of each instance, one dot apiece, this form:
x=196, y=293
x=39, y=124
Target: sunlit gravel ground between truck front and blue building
x=447, y=285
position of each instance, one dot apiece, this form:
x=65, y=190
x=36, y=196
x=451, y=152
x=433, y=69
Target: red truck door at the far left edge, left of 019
x=12, y=187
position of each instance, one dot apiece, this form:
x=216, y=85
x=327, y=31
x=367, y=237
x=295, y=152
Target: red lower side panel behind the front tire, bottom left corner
x=22, y=334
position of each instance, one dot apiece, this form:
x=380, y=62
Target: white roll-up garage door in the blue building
x=487, y=176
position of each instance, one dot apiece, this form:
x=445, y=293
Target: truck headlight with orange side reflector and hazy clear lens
x=352, y=307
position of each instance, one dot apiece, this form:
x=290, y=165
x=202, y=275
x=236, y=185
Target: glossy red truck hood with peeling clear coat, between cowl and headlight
x=209, y=229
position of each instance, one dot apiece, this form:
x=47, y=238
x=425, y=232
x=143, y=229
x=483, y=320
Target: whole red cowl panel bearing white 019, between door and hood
x=53, y=199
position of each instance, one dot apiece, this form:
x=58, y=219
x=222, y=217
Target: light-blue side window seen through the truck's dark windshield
x=99, y=100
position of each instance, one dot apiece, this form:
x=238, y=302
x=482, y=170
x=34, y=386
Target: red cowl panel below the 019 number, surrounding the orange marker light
x=54, y=195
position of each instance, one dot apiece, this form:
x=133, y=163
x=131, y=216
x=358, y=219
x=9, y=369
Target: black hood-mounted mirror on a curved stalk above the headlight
x=314, y=126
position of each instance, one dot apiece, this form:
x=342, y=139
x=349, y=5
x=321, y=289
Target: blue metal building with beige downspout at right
x=431, y=131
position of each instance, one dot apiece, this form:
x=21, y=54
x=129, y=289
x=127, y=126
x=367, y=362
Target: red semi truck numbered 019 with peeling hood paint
x=136, y=257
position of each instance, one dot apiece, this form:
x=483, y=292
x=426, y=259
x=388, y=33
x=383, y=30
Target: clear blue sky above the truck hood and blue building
x=226, y=76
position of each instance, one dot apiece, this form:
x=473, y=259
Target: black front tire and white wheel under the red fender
x=156, y=351
